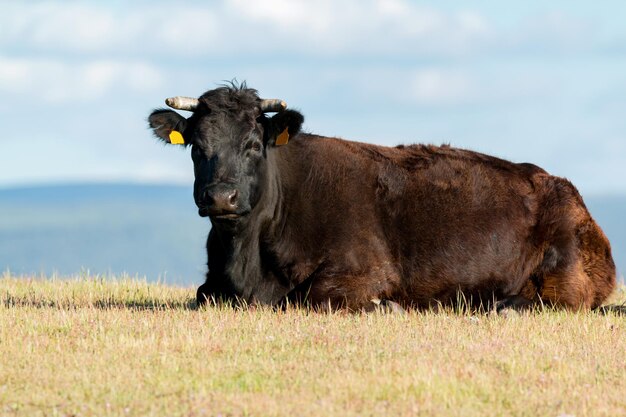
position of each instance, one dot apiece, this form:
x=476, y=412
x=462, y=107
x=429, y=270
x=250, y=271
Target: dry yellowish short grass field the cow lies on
x=91, y=346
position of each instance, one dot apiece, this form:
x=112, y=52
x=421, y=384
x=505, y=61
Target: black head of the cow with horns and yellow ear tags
x=230, y=136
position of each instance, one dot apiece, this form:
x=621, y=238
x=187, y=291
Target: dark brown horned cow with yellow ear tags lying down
x=301, y=218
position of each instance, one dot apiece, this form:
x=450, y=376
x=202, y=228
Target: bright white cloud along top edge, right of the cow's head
x=362, y=27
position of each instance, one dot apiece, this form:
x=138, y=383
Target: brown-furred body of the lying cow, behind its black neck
x=418, y=224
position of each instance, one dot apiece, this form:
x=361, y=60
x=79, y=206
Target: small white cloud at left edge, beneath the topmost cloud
x=59, y=81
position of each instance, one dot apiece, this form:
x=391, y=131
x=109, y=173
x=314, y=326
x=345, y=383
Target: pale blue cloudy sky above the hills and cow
x=533, y=81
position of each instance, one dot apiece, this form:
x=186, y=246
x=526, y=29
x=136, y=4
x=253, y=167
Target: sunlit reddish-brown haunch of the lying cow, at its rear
x=577, y=269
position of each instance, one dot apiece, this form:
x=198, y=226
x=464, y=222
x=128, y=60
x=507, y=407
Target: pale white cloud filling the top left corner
x=97, y=28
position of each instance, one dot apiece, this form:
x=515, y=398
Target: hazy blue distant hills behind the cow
x=145, y=230
